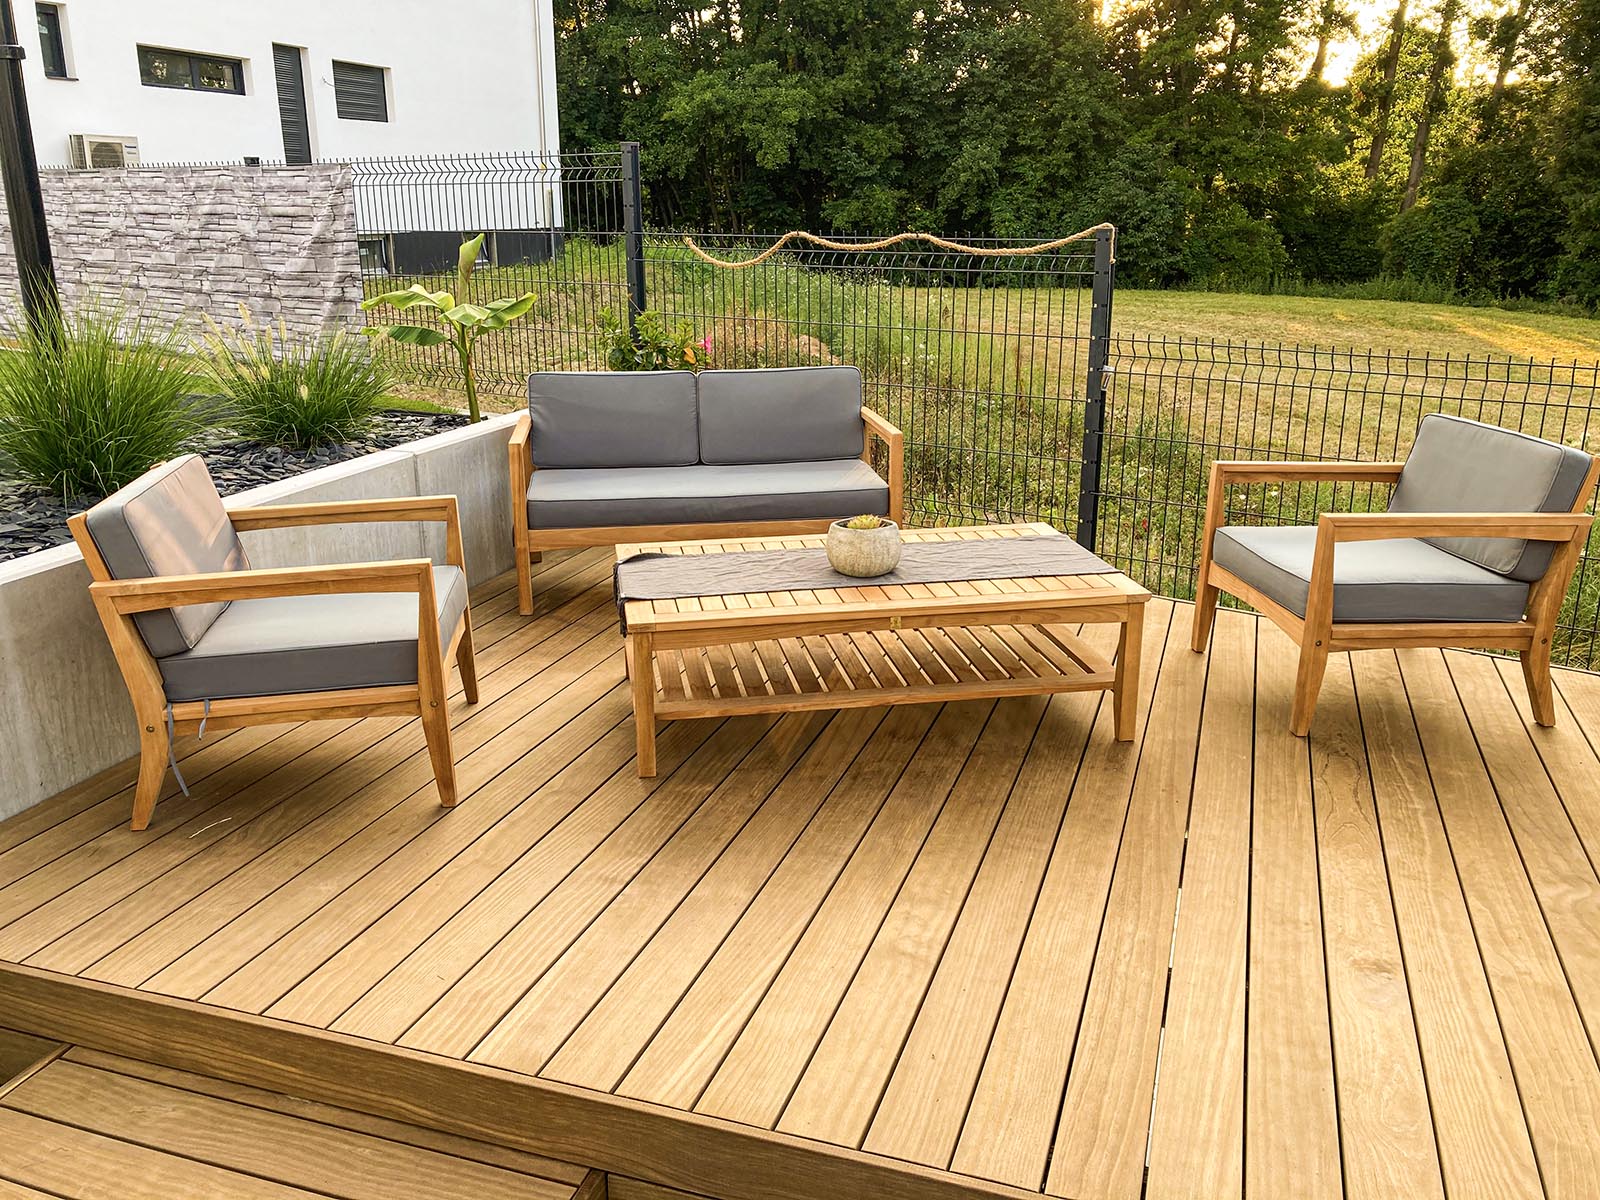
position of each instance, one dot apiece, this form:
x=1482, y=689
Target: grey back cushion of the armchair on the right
x=1468, y=466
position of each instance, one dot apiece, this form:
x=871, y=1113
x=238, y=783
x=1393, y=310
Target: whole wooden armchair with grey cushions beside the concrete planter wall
x=207, y=642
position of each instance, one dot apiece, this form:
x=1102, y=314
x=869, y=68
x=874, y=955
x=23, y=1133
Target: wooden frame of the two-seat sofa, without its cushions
x=530, y=545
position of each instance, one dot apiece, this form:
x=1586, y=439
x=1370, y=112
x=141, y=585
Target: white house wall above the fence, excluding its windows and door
x=465, y=78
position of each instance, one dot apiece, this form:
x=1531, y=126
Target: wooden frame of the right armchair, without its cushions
x=1319, y=636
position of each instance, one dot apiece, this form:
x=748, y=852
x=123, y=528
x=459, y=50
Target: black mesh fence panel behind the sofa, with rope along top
x=982, y=361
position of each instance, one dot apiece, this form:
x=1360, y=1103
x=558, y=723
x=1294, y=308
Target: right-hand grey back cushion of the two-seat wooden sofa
x=780, y=415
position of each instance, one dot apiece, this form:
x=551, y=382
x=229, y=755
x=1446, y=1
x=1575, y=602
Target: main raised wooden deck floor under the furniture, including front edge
x=938, y=951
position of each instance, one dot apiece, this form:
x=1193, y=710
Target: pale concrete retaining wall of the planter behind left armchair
x=66, y=710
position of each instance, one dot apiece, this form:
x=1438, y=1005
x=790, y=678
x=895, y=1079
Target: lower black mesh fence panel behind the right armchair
x=1177, y=404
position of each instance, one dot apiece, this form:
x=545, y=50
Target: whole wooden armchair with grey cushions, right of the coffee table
x=1476, y=551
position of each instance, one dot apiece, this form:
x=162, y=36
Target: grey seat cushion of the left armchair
x=311, y=644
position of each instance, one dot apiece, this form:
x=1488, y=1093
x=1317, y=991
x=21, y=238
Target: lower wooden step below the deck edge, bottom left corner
x=87, y=1124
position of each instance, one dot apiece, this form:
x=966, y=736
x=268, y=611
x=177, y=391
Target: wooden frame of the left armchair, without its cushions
x=118, y=602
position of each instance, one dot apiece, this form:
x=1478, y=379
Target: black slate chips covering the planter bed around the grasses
x=33, y=519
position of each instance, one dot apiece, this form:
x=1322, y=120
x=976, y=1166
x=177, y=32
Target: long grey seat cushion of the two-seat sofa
x=705, y=495
